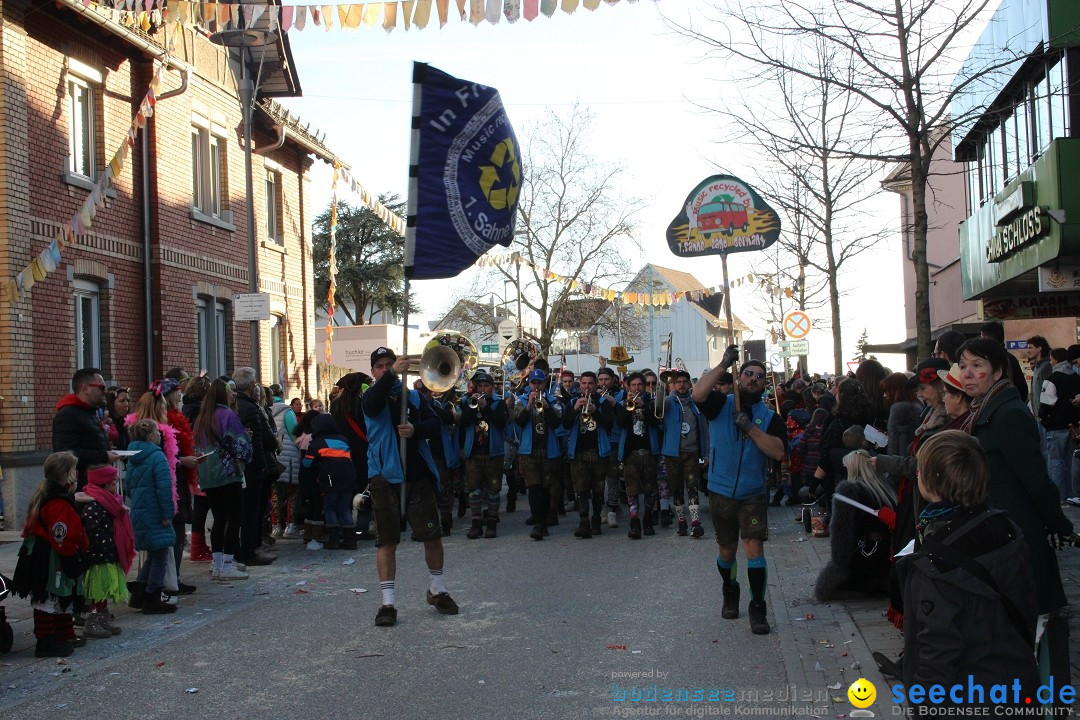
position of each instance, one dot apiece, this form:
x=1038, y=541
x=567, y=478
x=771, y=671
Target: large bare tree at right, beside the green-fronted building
x=902, y=58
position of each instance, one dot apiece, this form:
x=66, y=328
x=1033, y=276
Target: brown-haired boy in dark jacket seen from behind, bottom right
x=969, y=594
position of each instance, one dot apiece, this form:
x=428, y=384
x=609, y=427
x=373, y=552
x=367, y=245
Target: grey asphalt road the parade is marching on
x=546, y=631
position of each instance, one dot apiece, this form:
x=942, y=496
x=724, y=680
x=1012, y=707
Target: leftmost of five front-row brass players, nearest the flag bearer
x=483, y=423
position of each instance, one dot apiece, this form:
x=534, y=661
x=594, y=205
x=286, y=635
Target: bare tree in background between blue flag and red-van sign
x=574, y=221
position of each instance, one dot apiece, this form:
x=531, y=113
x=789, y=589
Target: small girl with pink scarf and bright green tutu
x=109, y=527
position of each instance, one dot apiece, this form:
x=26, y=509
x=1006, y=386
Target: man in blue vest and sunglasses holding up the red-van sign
x=744, y=438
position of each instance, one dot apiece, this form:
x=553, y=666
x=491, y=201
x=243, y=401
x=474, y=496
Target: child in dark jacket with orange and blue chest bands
x=327, y=469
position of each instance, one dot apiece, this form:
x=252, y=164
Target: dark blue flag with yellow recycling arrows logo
x=465, y=175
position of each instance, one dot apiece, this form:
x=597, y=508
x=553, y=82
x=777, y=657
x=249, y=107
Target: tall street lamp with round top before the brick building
x=245, y=39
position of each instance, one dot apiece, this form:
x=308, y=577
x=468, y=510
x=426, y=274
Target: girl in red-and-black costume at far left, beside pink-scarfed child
x=51, y=560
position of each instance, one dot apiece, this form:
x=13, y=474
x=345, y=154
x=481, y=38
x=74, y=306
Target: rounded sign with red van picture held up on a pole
x=723, y=215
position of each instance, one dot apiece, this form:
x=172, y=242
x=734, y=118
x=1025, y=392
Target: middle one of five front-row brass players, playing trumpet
x=589, y=446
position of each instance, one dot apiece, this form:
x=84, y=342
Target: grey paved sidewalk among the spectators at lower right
x=826, y=645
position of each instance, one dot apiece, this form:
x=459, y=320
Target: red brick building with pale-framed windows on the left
x=151, y=286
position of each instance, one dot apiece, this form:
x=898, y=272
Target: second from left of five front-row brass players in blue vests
x=538, y=415
